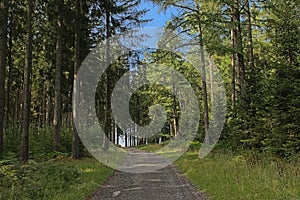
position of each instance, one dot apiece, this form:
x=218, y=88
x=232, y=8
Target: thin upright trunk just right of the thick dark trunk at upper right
x=249, y=30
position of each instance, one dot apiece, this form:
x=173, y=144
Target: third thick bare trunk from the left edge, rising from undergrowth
x=58, y=71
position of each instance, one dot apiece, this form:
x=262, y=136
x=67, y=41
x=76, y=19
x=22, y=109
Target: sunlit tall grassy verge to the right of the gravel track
x=222, y=176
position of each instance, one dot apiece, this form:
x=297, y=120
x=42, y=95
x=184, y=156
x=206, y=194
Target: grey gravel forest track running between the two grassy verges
x=164, y=184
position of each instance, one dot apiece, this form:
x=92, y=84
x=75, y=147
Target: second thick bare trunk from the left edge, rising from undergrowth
x=27, y=85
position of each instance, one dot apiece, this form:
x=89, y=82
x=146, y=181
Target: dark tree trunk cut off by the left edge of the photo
x=3, y=51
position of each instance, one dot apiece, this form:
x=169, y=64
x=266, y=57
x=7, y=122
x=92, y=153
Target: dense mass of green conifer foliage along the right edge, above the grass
x=266, y=115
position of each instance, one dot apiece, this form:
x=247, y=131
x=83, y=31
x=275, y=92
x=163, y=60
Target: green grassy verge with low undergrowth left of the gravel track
x=62, y=178
